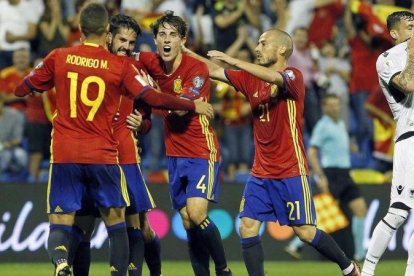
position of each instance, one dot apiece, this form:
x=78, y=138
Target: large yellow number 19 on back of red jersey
x=94, y=104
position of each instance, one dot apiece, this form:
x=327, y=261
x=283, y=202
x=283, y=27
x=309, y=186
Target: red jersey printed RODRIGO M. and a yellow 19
x=88, y=80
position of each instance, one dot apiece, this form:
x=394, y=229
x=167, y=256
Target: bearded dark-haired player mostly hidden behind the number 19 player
x=123, y=32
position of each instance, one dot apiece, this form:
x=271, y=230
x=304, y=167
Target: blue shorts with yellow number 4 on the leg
x=192, y=177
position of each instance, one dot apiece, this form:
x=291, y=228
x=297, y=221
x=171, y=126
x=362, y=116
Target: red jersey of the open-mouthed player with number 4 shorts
x=189, y=135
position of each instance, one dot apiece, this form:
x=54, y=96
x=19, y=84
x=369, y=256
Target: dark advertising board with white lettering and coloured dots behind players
x=24, y=227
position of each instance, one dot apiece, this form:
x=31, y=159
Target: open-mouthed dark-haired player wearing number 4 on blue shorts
x=190, y=142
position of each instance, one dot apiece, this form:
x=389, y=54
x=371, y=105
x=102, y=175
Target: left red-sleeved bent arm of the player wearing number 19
x=39, y=80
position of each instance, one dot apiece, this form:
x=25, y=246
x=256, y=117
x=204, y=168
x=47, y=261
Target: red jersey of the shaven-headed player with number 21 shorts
x=277, y=123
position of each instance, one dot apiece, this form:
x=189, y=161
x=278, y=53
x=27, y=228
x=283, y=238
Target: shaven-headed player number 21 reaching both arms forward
x=278, y=188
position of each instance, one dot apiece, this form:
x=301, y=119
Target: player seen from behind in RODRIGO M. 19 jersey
x=88, y=82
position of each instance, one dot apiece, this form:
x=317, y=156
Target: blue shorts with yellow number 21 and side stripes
x=287, y=200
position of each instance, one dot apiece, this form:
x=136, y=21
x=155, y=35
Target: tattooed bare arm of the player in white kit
x=404, y=81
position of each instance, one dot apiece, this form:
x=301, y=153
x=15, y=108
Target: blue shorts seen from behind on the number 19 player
x=69, y=181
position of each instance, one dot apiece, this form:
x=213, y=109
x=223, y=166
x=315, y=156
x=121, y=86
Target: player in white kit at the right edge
x=395, y=69
